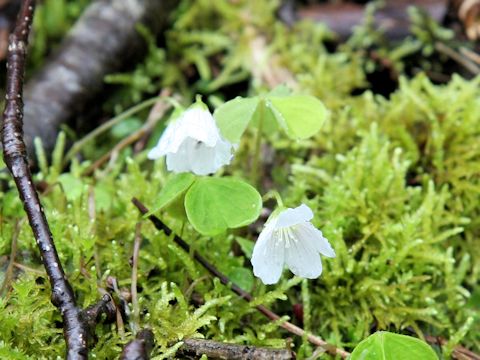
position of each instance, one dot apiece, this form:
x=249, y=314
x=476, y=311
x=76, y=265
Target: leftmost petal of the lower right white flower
x=268, y=256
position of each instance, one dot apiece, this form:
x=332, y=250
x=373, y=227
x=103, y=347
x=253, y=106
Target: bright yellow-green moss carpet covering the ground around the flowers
x=394, y=183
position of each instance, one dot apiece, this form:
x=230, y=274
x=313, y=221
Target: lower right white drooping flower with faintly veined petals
x=289, y=238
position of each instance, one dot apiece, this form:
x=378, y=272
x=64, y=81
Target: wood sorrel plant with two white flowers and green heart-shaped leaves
x=197, y=143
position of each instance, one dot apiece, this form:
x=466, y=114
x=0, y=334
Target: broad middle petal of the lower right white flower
x=301, y=256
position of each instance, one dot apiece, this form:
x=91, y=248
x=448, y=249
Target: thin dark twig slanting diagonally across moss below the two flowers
x=237, y=289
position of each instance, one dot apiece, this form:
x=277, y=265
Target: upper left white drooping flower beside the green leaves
x=193, y=143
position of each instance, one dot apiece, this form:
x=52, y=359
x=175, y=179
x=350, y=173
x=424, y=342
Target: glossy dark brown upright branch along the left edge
x=75, y=322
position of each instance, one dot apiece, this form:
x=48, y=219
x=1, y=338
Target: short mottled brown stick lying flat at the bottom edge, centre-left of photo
x=217, y=350
